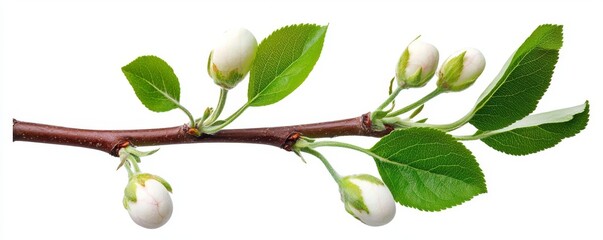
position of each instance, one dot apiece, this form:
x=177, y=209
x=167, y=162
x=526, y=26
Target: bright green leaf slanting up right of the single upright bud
x=283, y=61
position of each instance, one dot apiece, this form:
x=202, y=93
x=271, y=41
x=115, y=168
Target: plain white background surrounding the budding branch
x=61, y=65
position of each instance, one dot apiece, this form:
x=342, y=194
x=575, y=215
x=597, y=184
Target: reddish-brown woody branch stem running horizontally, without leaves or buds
x=110, y=141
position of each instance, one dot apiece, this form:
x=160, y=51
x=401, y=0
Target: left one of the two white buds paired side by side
x=417, y=65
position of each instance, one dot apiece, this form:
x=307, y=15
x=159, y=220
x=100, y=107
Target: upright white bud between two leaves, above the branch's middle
x=231, y=59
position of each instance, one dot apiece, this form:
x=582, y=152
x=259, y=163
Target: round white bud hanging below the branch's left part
x=147, y=199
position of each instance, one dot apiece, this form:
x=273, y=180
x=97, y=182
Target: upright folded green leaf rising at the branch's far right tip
x=523, y=80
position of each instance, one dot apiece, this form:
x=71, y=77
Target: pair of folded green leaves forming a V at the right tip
x=502, y=110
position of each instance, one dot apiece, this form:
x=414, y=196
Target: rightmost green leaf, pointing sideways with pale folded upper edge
x=538, y=132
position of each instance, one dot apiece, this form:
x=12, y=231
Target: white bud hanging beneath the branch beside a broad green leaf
x=367, y=199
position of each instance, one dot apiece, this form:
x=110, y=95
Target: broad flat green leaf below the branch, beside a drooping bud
x=427, y=169
